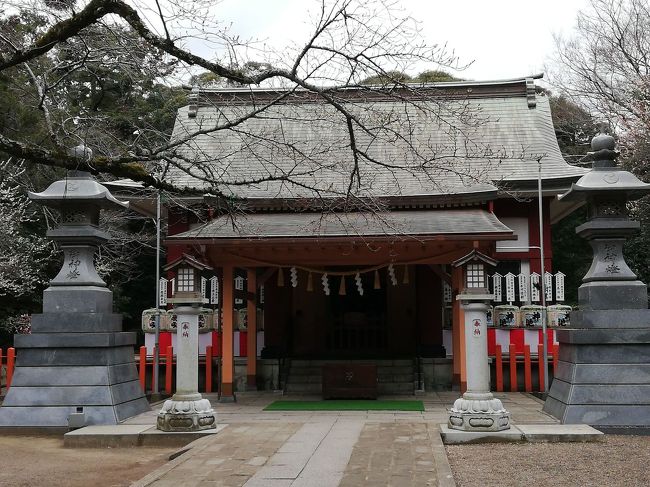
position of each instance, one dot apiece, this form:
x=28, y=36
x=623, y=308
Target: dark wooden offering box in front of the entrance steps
x=349, y=381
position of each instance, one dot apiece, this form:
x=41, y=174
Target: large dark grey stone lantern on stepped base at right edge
x=603, y=376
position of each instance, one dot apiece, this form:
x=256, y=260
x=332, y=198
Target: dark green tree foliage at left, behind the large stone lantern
x=103, y=88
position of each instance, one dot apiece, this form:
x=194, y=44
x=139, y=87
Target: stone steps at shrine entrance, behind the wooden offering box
x=396, y=376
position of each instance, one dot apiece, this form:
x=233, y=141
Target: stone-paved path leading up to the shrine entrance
x=323, y=448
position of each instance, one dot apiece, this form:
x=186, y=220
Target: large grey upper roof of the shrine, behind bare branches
x=460, y=138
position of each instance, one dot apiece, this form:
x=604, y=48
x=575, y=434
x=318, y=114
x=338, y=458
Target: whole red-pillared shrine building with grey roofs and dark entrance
x=312, y=253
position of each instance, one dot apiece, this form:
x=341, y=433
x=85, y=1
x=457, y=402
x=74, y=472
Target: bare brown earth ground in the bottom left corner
x=43, y=461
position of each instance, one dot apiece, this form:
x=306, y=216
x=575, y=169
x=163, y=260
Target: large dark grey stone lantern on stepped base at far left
x=77, y=366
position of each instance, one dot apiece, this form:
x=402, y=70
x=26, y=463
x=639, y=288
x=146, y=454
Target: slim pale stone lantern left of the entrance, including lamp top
x=187, y=410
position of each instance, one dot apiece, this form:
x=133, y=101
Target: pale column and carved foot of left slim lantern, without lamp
x=187, y=410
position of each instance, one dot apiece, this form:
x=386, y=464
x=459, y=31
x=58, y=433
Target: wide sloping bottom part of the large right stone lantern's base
x=603, y=377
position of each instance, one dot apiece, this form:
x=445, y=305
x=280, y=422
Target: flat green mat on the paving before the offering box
x=345, y=405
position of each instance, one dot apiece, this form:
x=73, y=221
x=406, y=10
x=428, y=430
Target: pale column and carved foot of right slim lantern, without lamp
x=478, y=409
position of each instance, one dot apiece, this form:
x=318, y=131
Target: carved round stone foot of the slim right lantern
x=478, y=412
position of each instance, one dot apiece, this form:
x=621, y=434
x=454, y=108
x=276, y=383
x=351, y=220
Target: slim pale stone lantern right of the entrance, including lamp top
x=477, y=410
